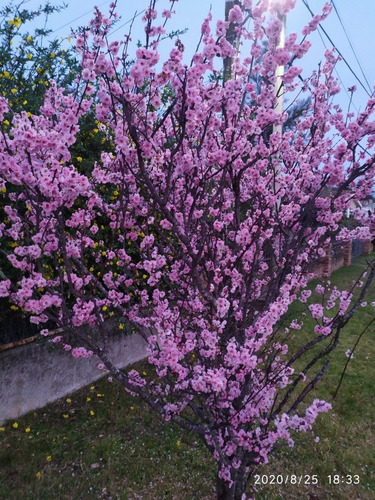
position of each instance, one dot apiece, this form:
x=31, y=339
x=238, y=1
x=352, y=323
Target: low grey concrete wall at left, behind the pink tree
x=36, y=374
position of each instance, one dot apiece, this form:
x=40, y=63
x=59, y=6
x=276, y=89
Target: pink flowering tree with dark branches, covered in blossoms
x=198, y=225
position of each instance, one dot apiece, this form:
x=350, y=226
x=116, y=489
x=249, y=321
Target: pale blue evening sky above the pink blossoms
x=357, y=44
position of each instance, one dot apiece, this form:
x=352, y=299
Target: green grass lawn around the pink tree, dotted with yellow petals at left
x=101, y=443
